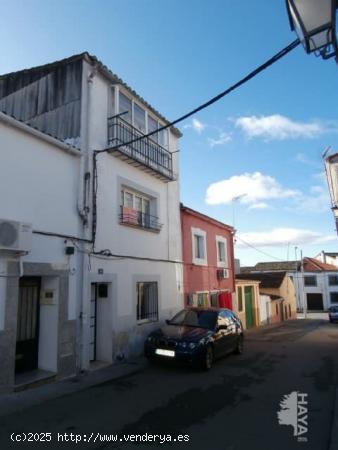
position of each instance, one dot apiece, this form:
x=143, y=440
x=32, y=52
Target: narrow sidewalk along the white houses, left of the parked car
x=18, y=401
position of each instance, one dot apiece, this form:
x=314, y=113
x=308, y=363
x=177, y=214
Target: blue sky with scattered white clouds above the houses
x=254, y=159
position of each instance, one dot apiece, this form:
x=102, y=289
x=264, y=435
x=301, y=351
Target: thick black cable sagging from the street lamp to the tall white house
x=215, y=99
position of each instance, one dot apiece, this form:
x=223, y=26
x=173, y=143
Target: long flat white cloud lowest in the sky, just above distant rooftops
x=283, y=236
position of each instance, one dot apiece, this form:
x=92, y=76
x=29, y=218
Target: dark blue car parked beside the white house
x=197, y=336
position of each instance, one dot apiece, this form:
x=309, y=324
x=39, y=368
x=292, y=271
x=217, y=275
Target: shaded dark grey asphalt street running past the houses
x=232, y=407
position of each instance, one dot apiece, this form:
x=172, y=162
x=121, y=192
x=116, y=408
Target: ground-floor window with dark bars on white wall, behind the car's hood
x=147, y=301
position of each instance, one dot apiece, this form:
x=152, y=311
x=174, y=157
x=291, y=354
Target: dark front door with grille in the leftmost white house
x=27, y=335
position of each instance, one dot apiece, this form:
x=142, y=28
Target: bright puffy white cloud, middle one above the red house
x=253, y=187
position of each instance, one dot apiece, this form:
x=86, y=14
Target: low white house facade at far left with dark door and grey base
x=39, y=288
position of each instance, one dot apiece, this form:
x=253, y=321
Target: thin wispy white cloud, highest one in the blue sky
x=279, y=127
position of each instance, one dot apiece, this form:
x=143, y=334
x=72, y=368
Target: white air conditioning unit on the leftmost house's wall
x=15, y=236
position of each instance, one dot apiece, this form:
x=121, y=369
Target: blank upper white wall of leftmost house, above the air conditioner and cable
x=39, y=182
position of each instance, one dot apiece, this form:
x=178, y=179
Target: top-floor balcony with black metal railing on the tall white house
x=145, y=154
